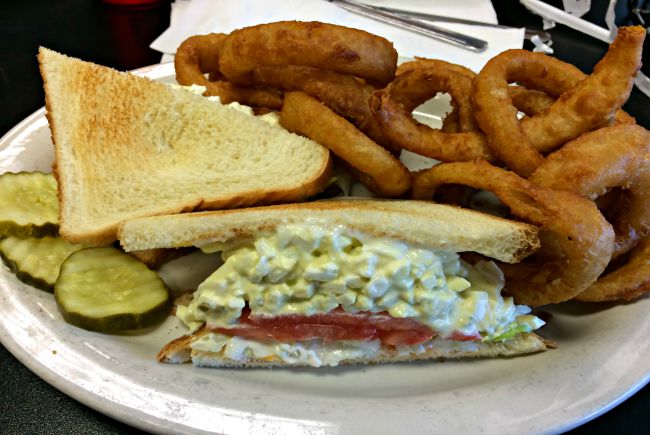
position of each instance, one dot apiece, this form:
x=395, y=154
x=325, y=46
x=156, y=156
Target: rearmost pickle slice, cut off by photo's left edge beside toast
x=29, y=205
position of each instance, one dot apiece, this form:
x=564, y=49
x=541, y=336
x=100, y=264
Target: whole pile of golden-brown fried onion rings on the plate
x=551, y=142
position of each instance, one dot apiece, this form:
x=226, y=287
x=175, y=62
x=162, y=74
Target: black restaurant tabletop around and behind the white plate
x=119, y=37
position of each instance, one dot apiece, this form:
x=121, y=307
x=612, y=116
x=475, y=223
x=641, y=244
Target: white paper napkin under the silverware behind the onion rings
x=193, y=17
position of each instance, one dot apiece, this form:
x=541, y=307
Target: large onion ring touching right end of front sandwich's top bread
x=577, y=241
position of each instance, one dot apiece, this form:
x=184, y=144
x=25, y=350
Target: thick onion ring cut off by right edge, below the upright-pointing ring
x=594, y=163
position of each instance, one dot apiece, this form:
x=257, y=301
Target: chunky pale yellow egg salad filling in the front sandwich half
x=308, y=268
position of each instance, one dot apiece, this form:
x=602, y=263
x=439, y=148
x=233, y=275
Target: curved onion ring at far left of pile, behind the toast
x=198, y=55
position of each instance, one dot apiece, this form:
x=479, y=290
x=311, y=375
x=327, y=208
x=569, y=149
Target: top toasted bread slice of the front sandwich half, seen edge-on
x=435, y=226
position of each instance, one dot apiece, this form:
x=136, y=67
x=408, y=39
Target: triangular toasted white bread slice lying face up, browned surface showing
x=127, y=146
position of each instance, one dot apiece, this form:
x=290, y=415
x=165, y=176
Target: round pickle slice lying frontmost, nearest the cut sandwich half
x=106, y=290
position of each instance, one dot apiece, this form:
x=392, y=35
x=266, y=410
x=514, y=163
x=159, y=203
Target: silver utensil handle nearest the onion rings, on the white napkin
x=414, y=25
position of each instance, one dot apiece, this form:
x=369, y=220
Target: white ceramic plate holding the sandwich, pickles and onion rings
x=603, y=357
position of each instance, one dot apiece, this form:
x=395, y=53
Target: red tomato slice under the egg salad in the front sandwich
x=334, y=326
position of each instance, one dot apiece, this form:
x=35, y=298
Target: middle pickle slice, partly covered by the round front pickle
x=36, y=261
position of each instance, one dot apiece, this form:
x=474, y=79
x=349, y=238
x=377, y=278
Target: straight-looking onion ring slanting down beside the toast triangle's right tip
x=378, y=168
